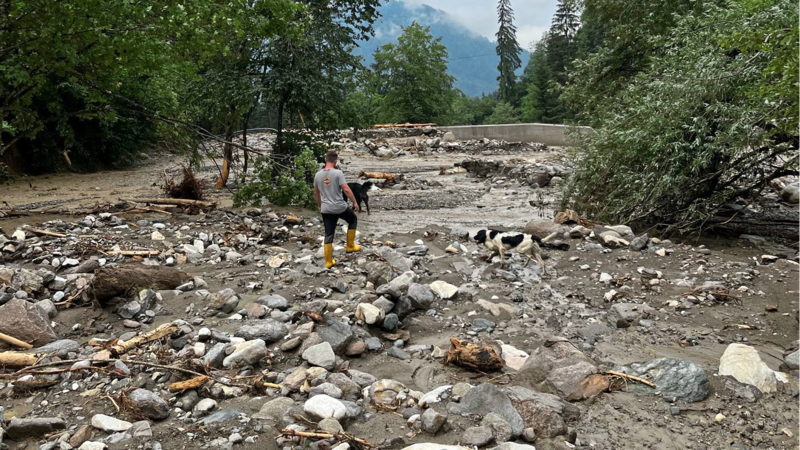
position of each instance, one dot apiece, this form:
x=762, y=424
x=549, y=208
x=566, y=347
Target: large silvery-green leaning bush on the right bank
x=693, y=130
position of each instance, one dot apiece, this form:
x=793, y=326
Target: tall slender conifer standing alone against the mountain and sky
x=508, y=49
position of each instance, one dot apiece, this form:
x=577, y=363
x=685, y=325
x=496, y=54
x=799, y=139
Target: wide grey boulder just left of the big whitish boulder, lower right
x=675, y=379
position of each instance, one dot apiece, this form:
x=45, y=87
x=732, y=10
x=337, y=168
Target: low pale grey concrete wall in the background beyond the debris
x=554, y=135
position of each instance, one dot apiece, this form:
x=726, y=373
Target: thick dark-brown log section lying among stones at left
x=118, y=281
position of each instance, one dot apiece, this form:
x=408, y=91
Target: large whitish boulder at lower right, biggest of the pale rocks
x=743, y=363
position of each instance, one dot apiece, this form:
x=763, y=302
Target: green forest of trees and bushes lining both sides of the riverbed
x=694, y=103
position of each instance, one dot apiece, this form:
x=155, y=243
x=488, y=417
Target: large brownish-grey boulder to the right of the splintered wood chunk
x=557, y=367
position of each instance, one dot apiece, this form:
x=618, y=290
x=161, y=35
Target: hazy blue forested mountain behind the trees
x=473, y=58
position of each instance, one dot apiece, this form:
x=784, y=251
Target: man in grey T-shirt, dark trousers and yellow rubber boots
x=329, y=184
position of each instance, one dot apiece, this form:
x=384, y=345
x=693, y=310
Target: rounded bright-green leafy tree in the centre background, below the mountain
x=411, y=78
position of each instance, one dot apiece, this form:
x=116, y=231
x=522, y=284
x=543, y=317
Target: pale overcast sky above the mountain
x=532, y=17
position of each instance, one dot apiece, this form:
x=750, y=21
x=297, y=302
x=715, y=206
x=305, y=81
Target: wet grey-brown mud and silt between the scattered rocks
x=569, y=302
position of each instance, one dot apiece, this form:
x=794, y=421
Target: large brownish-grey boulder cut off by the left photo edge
x=26, y=322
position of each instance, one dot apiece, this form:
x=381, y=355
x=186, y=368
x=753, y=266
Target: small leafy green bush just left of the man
x=292, y=185
